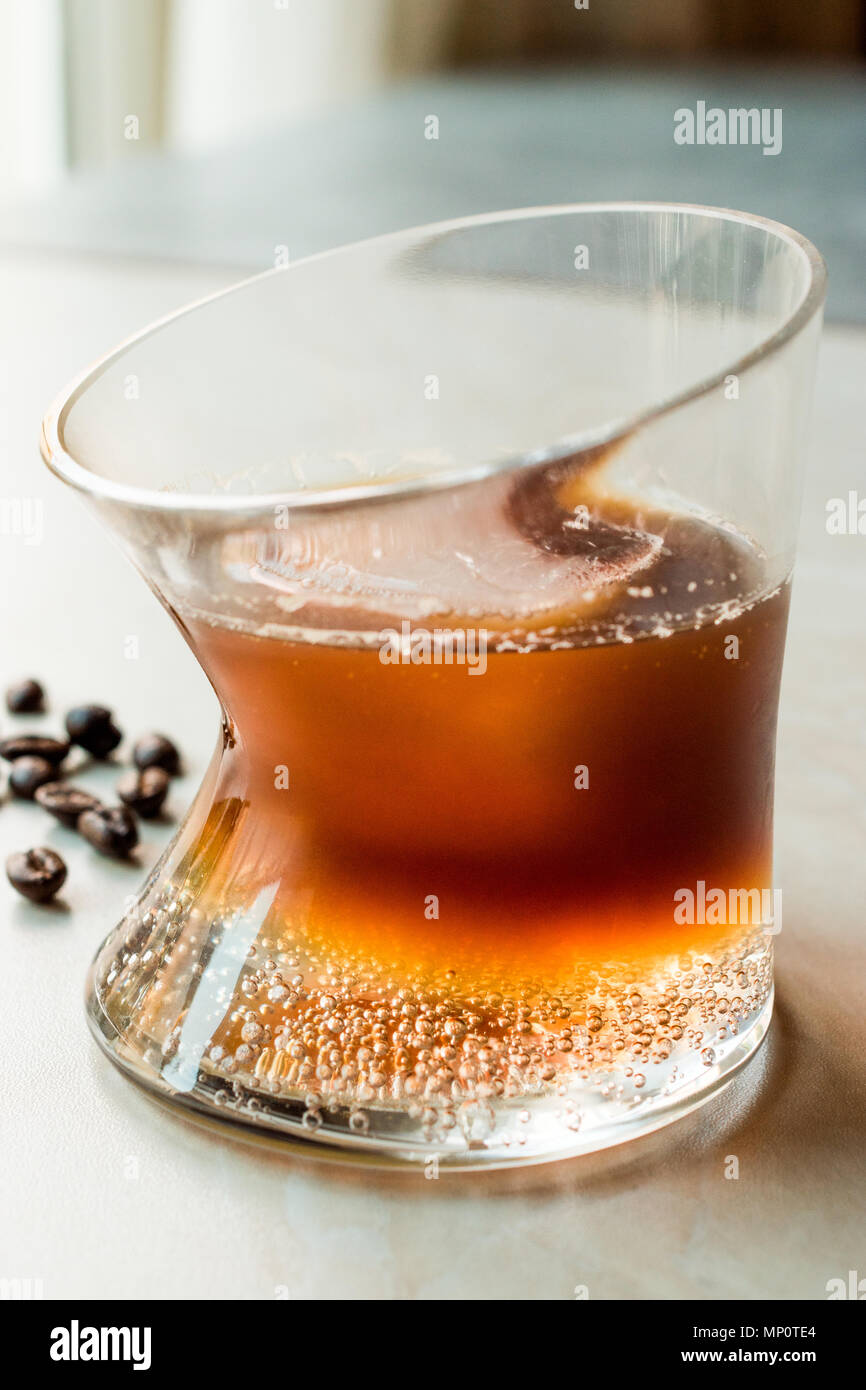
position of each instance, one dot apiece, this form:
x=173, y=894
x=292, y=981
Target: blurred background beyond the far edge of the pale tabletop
x=216, y=131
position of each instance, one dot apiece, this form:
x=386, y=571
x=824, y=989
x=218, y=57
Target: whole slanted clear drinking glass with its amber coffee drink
x=483, y=534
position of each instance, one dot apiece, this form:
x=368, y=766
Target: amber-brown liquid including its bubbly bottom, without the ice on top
x=471, y=879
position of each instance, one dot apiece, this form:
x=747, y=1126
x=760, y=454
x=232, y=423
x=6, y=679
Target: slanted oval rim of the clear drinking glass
x=70, y=471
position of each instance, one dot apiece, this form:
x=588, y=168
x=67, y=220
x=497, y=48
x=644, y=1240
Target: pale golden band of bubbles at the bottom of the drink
x=462, y=1056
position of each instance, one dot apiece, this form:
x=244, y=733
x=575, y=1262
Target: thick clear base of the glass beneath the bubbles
x=572, y=1118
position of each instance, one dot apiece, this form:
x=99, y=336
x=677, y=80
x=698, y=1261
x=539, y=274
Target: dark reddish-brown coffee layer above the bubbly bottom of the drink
x=543, y=811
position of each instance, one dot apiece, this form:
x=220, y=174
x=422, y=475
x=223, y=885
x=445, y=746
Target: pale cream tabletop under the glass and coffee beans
x=106, y=1195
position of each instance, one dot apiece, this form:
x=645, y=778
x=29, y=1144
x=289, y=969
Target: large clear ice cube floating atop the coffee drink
x=504, y=551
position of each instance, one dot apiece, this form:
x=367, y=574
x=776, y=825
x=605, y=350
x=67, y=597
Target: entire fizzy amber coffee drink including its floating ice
x=479, y=835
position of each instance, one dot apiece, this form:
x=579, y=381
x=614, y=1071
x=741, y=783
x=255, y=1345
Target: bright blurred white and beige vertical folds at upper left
x=194, y=73
